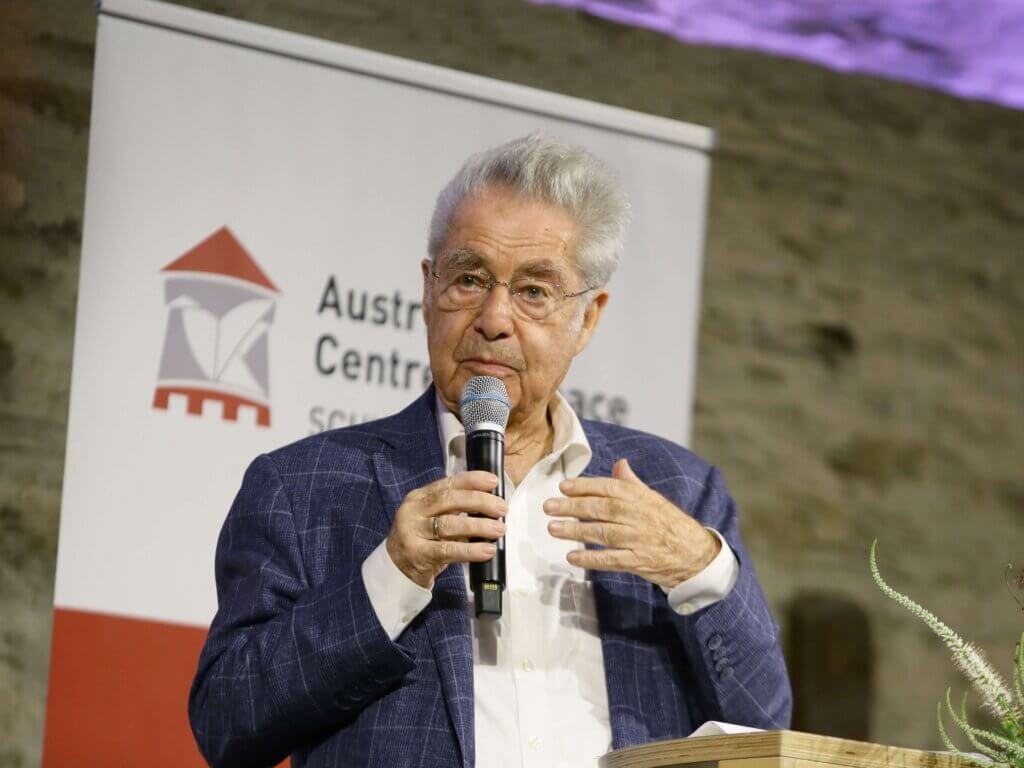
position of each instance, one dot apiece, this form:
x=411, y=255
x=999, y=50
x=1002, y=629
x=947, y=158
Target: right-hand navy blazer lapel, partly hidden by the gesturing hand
x=625, y=610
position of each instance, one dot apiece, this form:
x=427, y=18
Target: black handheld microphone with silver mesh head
x=485, y=406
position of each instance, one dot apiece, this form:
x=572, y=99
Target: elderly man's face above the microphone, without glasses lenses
x=510, y=237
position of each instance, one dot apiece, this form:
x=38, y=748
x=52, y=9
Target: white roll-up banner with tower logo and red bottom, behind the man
x=258, y=206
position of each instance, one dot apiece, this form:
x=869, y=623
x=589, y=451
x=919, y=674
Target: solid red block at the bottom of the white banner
x=119, y=693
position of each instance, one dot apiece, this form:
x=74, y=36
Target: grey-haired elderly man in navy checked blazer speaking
x=346, y=634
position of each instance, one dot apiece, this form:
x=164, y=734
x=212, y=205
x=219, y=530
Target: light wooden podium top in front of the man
x=774, y=750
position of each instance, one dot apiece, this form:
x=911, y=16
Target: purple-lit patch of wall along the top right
x=970, y=49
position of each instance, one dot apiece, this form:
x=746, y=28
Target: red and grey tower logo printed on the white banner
x=221, y=309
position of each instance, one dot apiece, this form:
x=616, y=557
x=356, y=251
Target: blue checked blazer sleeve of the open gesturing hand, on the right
x=734, y=645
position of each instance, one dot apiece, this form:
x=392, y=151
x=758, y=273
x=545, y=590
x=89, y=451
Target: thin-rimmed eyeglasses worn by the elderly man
x=534, y=298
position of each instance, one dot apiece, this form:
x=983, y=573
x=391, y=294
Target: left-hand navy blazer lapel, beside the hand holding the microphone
x=414, y=461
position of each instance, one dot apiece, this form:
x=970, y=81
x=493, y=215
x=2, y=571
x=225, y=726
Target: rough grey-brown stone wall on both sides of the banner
x=862, y=363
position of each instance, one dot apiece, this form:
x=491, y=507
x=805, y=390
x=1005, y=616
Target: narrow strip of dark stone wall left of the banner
x=46, y=80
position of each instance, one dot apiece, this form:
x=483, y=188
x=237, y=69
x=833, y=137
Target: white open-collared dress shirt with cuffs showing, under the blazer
x=539, y=670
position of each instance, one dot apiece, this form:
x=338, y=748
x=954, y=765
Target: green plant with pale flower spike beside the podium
x=1005, y=745
